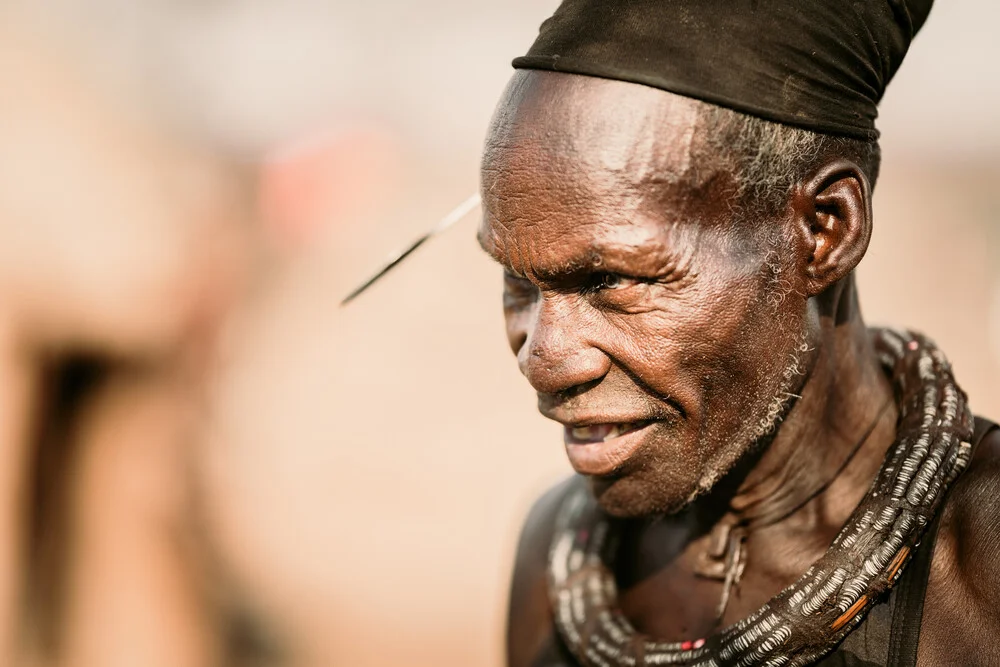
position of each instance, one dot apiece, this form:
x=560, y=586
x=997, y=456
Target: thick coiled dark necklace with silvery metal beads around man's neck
x=809, y=618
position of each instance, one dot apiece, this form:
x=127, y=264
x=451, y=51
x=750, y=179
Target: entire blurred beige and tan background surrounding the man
x=203, y=459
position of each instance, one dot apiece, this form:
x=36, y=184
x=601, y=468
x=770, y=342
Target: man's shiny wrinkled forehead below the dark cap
x=570, y=151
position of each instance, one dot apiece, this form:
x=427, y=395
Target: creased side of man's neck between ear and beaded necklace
x=841, y=400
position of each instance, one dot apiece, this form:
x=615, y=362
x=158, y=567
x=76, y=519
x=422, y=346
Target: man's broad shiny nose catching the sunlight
x=556, y=353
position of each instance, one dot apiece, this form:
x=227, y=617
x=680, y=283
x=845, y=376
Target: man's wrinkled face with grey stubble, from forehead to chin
x=665, y=334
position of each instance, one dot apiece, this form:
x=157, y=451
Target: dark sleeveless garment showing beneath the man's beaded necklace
x=887, y=637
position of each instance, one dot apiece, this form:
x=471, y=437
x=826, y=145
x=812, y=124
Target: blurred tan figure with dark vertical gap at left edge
x=123, y=245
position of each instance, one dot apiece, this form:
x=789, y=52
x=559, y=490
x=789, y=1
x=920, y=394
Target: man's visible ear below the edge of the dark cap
x=834, y=215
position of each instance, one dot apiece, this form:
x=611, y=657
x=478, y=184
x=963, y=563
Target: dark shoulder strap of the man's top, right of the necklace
x=908, y=610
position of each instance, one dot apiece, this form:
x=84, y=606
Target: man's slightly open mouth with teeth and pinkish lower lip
x=602, y=449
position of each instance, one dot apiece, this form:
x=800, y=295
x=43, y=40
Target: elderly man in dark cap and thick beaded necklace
x=679, y=192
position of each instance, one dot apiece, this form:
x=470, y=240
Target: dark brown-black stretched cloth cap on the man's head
x=818, y=64
